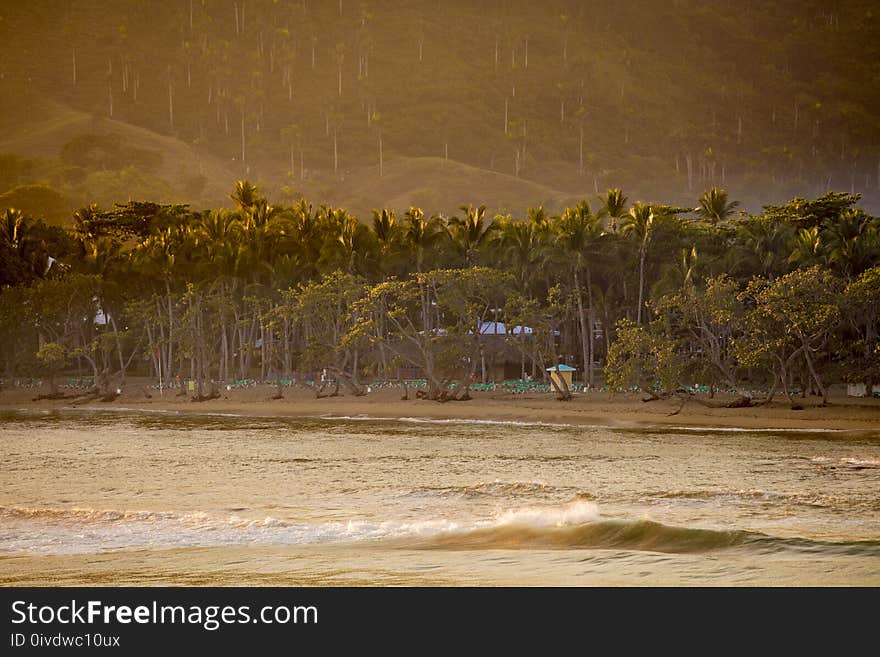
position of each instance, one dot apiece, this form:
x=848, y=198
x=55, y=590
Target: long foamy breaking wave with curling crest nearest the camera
x=577, y=524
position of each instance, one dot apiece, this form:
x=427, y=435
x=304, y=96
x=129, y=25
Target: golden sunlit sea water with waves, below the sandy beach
x=118, y=497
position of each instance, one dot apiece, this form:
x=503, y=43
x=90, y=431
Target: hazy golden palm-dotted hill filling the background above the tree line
x=664, y=98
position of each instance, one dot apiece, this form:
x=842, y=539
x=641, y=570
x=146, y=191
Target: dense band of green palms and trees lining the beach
x=634, y=295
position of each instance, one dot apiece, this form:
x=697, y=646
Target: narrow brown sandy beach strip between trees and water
x=593, y=409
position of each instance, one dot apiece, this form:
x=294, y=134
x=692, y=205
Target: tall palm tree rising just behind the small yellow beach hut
x=578, y=233
